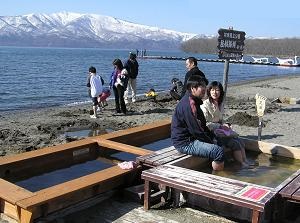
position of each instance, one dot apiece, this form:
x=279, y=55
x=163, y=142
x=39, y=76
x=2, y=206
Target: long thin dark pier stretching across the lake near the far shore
x=218, y=61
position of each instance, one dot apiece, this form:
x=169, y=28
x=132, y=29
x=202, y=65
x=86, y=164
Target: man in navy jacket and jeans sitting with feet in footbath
x=189, y=132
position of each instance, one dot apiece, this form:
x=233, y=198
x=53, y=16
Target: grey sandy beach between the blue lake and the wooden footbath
x=23, y=131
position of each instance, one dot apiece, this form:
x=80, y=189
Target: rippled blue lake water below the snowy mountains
x=42, y=77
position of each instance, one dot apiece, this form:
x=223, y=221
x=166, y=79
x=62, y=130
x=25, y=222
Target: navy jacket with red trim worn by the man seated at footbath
x=187, y=126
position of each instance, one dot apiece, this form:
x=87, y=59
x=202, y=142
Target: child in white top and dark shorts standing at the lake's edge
x=96, y=88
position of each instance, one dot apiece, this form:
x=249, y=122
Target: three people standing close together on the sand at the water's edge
x=122, y=80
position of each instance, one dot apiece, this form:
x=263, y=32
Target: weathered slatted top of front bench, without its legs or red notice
x=215, y=187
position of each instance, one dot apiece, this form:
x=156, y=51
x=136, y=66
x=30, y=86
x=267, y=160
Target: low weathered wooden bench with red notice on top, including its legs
x=254, y=197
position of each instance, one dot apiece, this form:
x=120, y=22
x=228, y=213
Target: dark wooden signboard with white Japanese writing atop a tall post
x=231, y=44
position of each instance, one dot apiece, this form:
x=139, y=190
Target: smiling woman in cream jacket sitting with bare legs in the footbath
x=213, y=111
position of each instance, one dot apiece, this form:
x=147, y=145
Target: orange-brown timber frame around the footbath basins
x=26, y=206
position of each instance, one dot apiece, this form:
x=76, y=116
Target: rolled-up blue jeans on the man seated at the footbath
x=203, y=149
